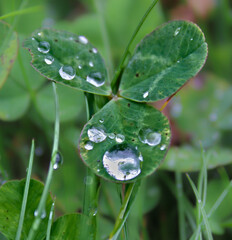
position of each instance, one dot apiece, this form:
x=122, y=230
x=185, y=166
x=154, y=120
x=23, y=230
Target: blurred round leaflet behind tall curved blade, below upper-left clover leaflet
x=71, y=103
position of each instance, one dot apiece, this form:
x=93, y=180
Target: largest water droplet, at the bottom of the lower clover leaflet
x=122, y=162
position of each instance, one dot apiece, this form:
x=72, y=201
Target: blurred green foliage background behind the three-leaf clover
x=200, y=114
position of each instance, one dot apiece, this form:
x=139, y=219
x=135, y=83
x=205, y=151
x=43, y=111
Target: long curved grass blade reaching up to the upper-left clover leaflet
x=42, y=203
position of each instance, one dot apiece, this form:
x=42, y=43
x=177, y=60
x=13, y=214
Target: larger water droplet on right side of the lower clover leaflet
x=147, y=136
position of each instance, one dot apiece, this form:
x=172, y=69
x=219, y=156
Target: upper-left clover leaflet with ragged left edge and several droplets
x=68, y=59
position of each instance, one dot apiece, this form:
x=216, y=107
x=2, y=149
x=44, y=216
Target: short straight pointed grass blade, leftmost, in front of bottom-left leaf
x=26, y=190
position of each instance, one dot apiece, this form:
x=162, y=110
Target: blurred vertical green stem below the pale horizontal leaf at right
x=179, y=187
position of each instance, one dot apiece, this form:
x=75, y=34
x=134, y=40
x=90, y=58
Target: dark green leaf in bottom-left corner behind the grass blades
x=11, y=196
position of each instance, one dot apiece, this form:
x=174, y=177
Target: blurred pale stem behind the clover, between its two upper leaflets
x=105, y=37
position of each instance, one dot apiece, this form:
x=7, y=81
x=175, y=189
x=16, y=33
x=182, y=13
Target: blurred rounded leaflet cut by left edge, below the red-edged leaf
x=14, y=101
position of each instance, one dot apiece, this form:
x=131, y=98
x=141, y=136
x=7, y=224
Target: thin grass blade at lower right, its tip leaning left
x=208, y=230
